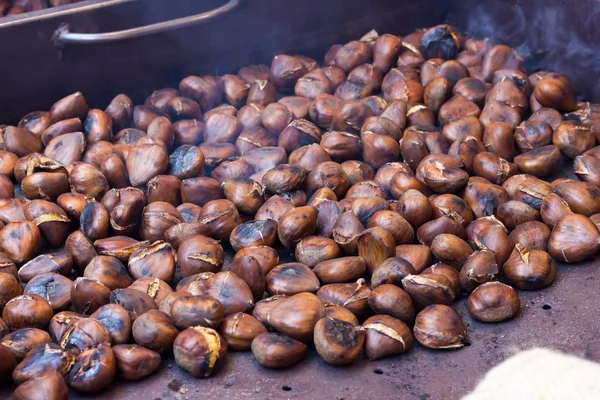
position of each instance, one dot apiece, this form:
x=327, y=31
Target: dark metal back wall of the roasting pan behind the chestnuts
x=549, y=34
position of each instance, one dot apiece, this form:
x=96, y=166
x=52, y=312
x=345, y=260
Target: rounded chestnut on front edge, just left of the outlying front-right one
x=440, y=327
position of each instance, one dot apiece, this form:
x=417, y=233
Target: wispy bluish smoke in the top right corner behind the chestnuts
x=553, y=35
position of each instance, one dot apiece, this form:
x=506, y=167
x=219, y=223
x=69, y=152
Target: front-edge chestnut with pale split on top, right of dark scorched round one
x=386, y=336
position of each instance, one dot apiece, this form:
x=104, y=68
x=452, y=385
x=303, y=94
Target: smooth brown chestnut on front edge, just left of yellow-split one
x=135, y=362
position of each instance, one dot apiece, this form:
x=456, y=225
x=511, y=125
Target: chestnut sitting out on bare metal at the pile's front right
x=493, y=302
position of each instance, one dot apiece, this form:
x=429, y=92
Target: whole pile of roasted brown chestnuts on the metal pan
x=401, y=174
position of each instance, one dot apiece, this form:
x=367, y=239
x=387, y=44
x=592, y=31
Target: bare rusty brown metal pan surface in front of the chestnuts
x=571, y=325
